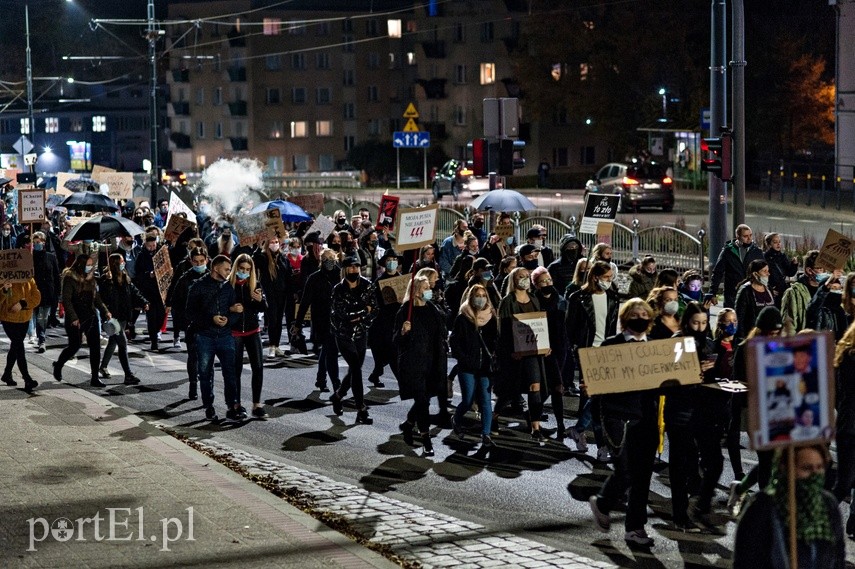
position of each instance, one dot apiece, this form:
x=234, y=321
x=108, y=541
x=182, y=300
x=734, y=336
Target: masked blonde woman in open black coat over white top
x=591, y=317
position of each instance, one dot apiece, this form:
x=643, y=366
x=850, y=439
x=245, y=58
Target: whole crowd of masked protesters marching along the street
x=227, y=299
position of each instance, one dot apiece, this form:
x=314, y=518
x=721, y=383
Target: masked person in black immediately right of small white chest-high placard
x=554, y=305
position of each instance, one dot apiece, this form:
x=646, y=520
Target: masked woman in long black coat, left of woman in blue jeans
x=419, y=336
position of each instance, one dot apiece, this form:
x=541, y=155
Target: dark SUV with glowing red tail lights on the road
x=639, y=184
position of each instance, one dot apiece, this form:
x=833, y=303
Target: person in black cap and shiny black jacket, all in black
x=354, y=306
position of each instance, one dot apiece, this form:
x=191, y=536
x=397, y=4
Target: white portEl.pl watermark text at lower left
x=116, y=527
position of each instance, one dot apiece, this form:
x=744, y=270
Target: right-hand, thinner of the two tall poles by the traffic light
x=738, y=101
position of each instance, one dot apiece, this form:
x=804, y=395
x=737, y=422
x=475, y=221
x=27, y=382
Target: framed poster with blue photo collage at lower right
x=790, y=390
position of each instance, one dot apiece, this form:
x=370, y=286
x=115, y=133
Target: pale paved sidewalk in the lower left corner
x=85, y=484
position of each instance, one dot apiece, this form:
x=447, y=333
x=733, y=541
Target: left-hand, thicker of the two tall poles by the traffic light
x=718, y=112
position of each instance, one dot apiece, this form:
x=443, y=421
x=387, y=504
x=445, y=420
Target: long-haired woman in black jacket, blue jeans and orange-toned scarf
x=473, y=344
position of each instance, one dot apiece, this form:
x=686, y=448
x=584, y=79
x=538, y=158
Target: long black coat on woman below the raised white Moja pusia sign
x=422, y=354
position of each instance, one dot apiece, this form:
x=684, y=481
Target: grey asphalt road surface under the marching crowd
x=520, y=487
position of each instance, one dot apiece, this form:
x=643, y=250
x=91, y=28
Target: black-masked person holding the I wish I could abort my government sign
x=629, y=422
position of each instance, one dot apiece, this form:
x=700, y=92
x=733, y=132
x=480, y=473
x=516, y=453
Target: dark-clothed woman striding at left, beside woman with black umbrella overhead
x=82, y=303
